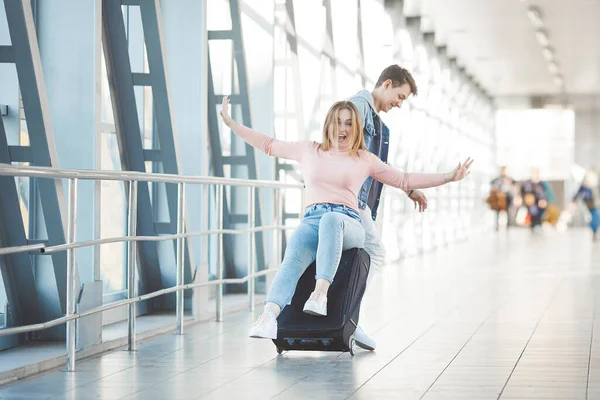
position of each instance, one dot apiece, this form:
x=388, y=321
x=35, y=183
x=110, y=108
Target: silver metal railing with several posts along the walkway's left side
x=74, y=176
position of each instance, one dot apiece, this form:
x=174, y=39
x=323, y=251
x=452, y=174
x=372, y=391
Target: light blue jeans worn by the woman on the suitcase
x=325, y=231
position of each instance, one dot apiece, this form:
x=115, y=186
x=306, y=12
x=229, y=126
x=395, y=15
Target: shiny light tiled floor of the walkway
x=509, y=316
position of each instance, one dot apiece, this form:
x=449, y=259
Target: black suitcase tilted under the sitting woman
x=335, y=332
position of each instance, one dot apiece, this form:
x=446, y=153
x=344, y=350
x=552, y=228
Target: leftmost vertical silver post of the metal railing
x=71, y=274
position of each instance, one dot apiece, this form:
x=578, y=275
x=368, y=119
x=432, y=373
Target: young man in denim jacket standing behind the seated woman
x=393, y=87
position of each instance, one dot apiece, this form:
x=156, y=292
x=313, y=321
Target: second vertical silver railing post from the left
x=131, y=265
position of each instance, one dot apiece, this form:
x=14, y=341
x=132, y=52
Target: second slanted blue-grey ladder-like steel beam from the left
x=159, y=215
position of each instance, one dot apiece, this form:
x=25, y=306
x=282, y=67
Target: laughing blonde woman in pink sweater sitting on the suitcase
x=333, y=171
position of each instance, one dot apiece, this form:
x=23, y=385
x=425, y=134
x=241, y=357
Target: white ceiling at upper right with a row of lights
x=495, y=41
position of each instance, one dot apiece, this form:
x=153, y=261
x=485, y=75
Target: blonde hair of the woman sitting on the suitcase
x=331, y=127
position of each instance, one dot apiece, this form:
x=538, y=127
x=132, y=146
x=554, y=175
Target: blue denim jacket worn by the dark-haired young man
x=370, y=192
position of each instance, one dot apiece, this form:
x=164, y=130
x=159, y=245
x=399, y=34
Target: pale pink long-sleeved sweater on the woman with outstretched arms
x=336, y=176
